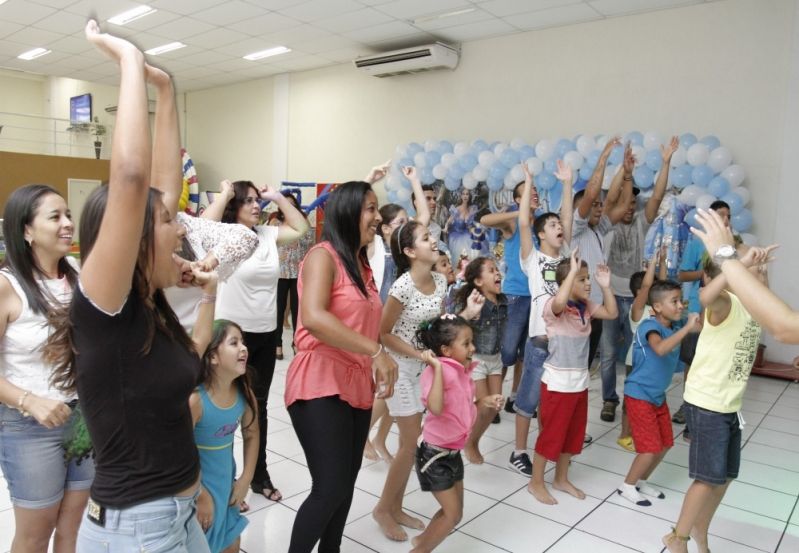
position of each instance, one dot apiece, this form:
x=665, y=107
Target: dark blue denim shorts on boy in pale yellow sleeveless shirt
x=715, y=452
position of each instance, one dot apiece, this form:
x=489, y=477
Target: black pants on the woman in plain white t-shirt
x=261, y=349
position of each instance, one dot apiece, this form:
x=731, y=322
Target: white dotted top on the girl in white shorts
x=418, y=307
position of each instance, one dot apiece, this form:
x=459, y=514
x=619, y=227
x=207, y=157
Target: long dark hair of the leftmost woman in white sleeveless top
x=21, y=209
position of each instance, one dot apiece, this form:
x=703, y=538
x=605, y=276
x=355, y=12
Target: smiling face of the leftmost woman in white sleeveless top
x=50, y=231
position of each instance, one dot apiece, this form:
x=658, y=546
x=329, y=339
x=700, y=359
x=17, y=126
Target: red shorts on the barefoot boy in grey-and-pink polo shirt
x=563, y=417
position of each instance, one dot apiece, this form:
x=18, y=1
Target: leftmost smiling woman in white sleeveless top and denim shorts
x=48, y=494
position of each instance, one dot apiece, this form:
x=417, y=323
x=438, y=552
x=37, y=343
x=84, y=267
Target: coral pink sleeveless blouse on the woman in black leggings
x=322, y=370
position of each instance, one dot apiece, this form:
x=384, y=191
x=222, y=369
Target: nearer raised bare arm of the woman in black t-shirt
x=107, y=271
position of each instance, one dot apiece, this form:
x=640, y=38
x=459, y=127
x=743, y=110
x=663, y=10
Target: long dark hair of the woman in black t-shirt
x=158, y=313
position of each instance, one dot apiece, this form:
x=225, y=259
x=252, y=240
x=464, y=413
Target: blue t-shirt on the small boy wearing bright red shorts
x=651, y=373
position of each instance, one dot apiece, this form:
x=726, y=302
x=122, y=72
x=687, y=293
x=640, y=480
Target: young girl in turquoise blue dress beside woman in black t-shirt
x=222, y=402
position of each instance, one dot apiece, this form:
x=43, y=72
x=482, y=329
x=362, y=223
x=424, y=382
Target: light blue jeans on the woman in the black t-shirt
x=166, y=525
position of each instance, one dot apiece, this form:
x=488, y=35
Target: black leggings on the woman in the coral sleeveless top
x=332, y=434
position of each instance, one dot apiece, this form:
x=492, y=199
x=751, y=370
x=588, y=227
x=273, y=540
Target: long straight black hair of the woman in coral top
x=343, y=230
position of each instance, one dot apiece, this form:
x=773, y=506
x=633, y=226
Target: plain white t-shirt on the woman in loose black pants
x=249, y=296
